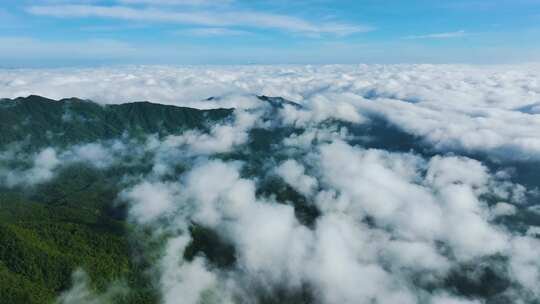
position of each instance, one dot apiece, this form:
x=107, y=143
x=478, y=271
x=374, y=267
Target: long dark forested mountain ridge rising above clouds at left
x=43, y=122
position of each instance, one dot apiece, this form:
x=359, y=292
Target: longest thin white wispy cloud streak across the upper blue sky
x=203, y=18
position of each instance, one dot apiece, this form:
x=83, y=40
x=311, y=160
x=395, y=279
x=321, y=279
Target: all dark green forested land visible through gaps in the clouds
x=75, y=221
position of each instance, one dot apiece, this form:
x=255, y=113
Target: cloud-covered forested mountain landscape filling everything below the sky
x=277, y=184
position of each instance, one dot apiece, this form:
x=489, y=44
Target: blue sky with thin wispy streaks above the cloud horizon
x=44, y=33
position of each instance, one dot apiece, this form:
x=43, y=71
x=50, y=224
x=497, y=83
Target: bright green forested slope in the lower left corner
x=64, y=225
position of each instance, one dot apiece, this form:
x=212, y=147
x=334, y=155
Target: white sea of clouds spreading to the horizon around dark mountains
x=393, y=226
